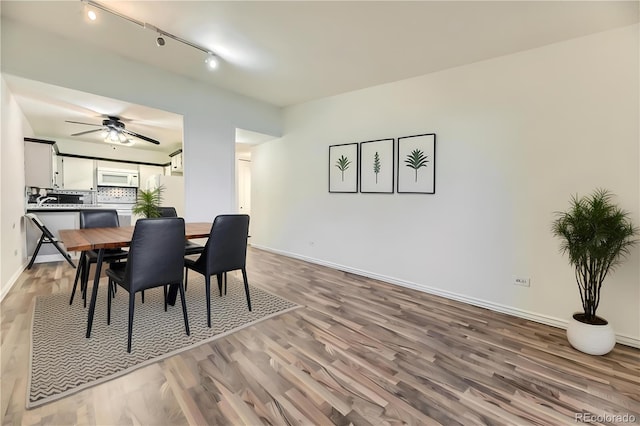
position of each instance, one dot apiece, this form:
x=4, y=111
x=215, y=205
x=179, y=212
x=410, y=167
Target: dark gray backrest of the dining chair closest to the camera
x=156, y=255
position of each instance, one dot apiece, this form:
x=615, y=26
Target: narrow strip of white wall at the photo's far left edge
x=14, y=129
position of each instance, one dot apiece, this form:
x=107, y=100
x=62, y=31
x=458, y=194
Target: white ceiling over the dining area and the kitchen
x=290, y=52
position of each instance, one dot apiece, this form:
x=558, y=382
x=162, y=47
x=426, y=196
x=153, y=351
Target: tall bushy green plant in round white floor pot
x=597, y=235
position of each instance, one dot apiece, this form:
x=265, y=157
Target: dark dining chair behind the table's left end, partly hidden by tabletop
x=95, y=218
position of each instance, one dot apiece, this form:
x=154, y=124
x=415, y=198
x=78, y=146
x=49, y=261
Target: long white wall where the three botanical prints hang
x=516, y=136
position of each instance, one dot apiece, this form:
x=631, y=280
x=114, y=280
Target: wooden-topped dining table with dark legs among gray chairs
x=101, y=239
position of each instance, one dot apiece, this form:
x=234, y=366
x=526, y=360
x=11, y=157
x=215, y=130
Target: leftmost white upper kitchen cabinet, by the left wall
x=40, y=164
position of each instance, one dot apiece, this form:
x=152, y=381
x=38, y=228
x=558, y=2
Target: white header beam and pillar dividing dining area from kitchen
x=211, y=115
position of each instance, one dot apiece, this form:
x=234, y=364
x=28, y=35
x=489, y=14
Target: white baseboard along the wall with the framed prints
x=531, y=316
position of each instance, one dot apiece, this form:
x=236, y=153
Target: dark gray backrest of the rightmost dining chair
x=226, y=248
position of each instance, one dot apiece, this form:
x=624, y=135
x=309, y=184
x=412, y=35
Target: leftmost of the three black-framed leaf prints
x=343, y=168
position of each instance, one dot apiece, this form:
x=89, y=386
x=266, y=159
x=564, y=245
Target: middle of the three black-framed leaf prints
x=376, y=166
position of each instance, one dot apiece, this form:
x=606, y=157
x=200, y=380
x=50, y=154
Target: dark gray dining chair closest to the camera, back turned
x=155, y=259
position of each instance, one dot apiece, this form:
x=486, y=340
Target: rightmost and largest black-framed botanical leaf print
x=416, y=166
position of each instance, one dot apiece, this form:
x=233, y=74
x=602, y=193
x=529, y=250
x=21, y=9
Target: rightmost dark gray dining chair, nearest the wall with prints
x=225, y=251
